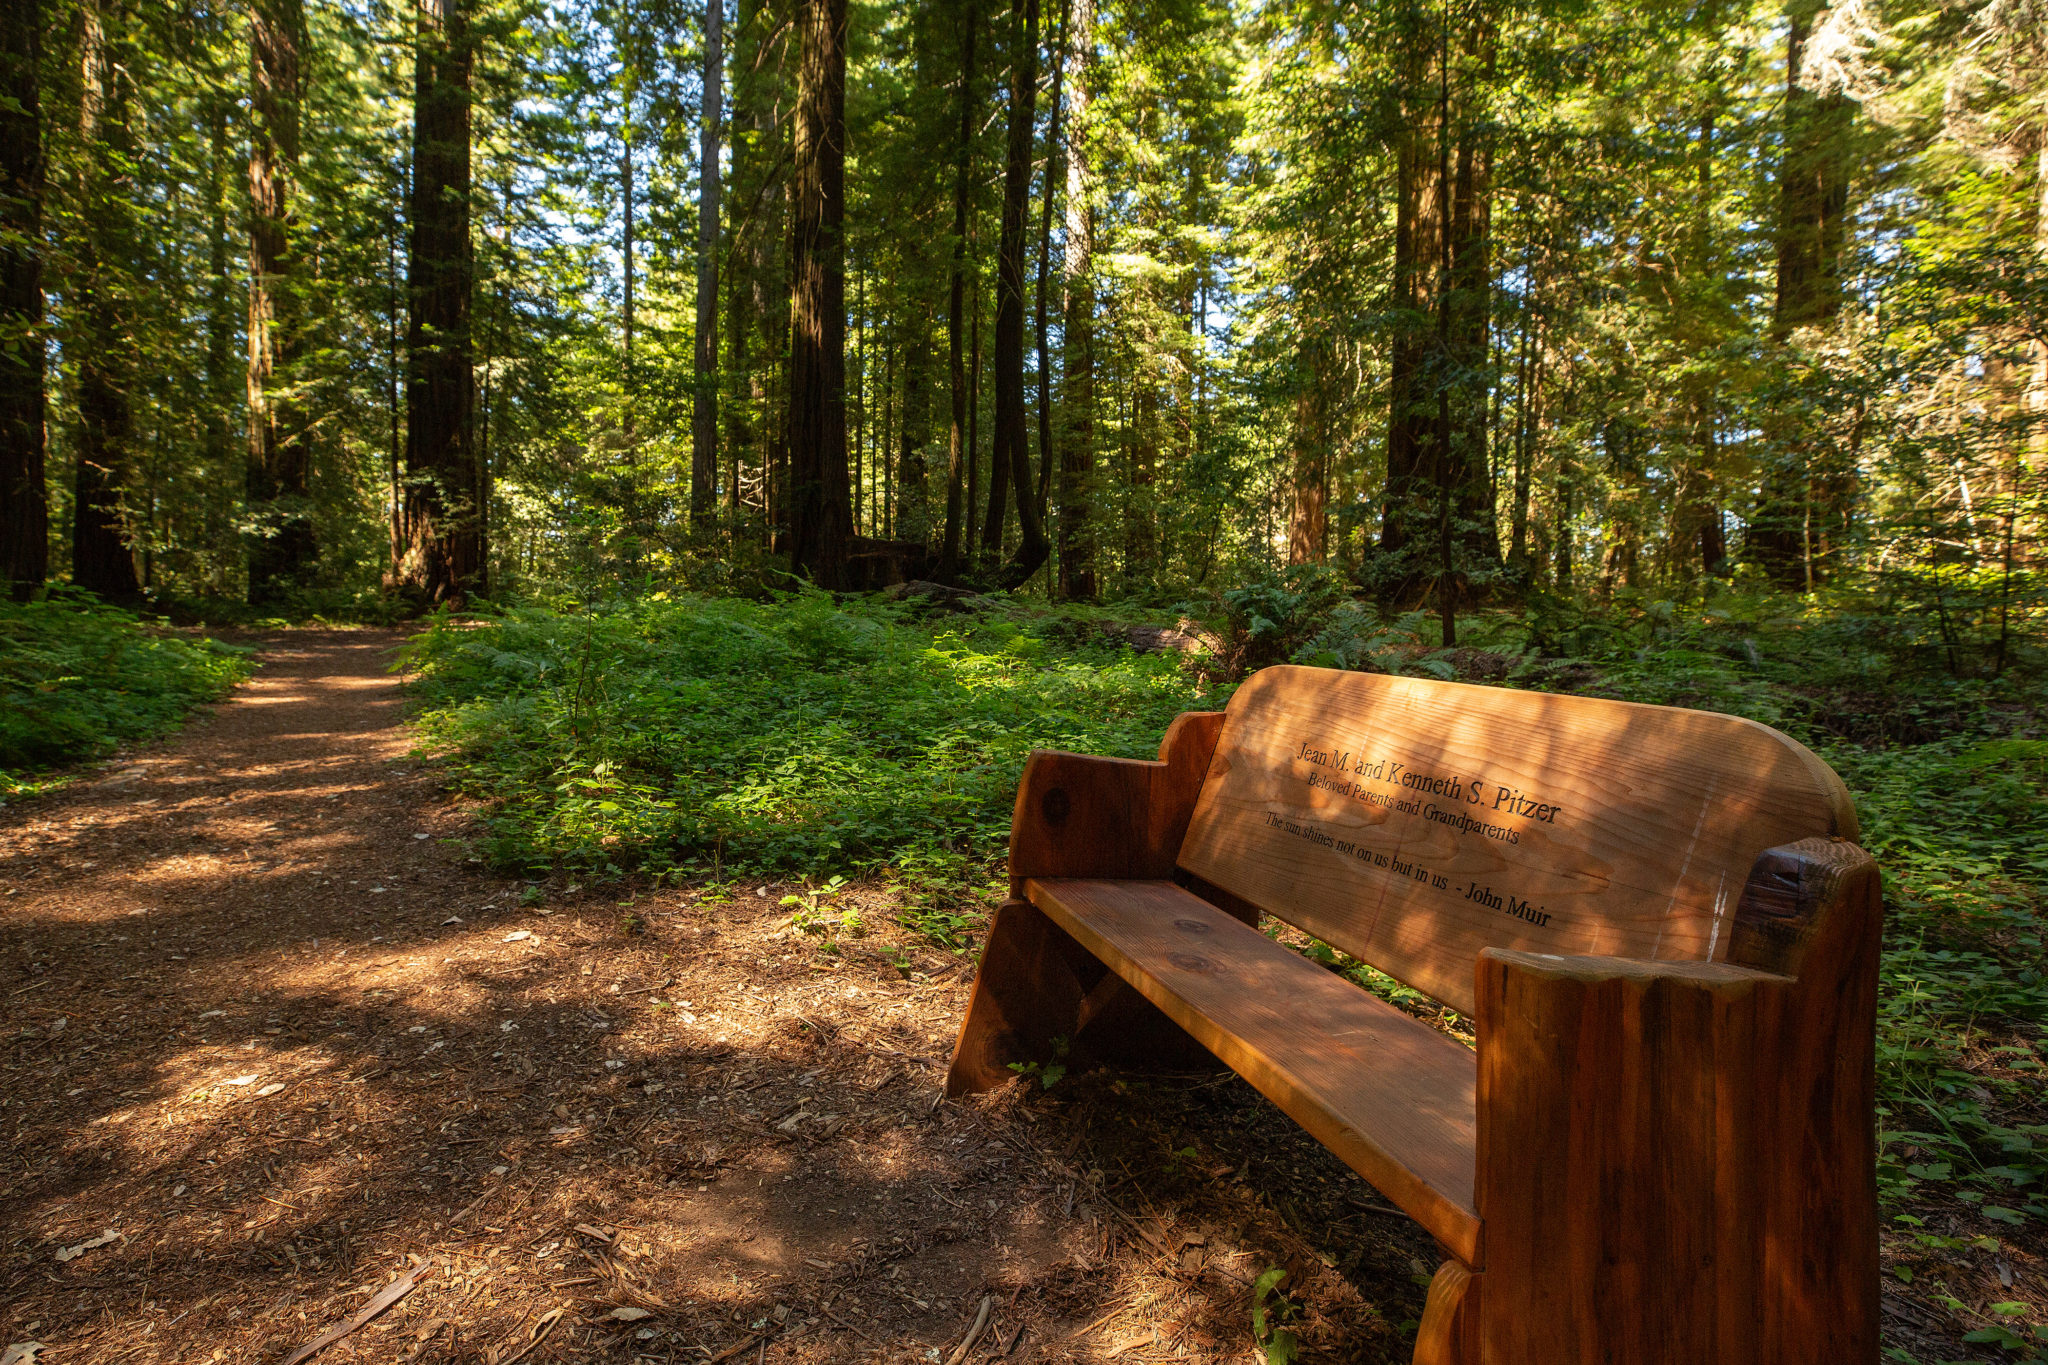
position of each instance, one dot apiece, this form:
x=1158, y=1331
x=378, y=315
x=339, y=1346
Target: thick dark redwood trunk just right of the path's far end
x=443, y=549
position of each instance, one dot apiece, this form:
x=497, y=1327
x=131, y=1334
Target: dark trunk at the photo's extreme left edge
x=24, y=498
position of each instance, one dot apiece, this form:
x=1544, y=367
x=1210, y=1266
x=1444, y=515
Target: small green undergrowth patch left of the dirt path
x=81, y=678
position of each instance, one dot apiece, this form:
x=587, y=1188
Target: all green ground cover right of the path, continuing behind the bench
x=851, y=740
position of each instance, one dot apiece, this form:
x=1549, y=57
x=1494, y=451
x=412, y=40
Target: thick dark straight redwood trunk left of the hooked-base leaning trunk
x=820, y=517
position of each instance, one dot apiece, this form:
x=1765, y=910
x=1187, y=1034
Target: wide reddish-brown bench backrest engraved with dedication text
x=1414, y=824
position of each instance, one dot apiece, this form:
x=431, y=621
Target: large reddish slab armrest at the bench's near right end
x=1689, y=1125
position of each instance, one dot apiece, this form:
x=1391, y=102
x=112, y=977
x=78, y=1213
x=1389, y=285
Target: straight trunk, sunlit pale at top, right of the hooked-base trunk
x=1078, y=380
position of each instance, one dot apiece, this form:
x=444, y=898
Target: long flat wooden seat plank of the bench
x=1388, y=1094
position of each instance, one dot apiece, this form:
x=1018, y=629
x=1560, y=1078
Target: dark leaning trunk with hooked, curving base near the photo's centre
x=1011, y=461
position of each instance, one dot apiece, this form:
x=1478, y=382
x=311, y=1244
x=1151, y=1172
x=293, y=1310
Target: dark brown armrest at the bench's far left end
x=1119, y=820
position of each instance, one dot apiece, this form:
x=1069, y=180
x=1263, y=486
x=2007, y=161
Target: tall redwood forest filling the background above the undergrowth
x=323, y=304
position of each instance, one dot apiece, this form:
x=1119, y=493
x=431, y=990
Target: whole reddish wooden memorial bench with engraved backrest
x=1658, y=920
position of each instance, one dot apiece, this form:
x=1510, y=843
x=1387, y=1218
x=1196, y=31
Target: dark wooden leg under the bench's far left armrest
x=1027, y=996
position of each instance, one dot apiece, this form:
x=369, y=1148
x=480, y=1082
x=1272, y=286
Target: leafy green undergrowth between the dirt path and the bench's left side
x=691, y=736
